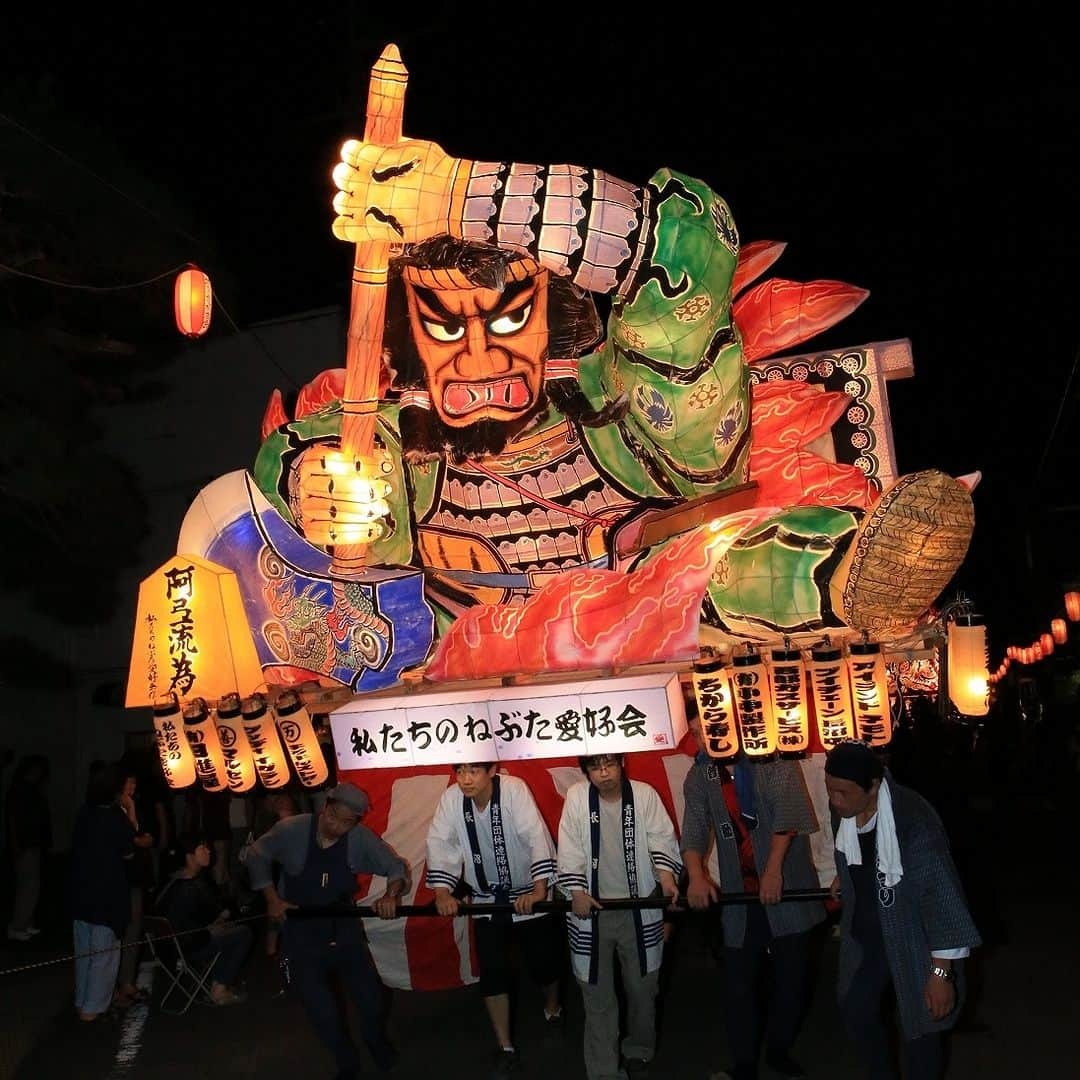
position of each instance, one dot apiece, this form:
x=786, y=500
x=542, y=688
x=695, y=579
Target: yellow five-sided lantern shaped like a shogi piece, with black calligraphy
x=192, y=636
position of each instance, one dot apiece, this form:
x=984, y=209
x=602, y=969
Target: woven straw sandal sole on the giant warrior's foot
x=907, y=551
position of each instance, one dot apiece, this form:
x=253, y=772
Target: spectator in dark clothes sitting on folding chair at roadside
x=193, y=904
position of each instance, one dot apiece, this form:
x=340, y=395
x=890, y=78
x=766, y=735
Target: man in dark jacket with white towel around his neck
x=906, y=925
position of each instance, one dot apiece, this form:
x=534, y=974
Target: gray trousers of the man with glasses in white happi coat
x=616, y=933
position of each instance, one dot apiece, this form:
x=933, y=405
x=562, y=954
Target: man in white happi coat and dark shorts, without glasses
x=489, y=831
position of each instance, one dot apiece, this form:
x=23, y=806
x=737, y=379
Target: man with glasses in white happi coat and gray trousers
x=616, y=841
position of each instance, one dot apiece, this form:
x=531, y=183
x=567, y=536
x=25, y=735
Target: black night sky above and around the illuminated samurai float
x=927, y=160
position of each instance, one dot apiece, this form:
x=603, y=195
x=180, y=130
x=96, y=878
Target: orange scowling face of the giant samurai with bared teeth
x=483, y=350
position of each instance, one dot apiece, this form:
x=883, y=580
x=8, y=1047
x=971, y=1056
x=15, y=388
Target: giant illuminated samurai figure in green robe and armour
x=517, y=454
